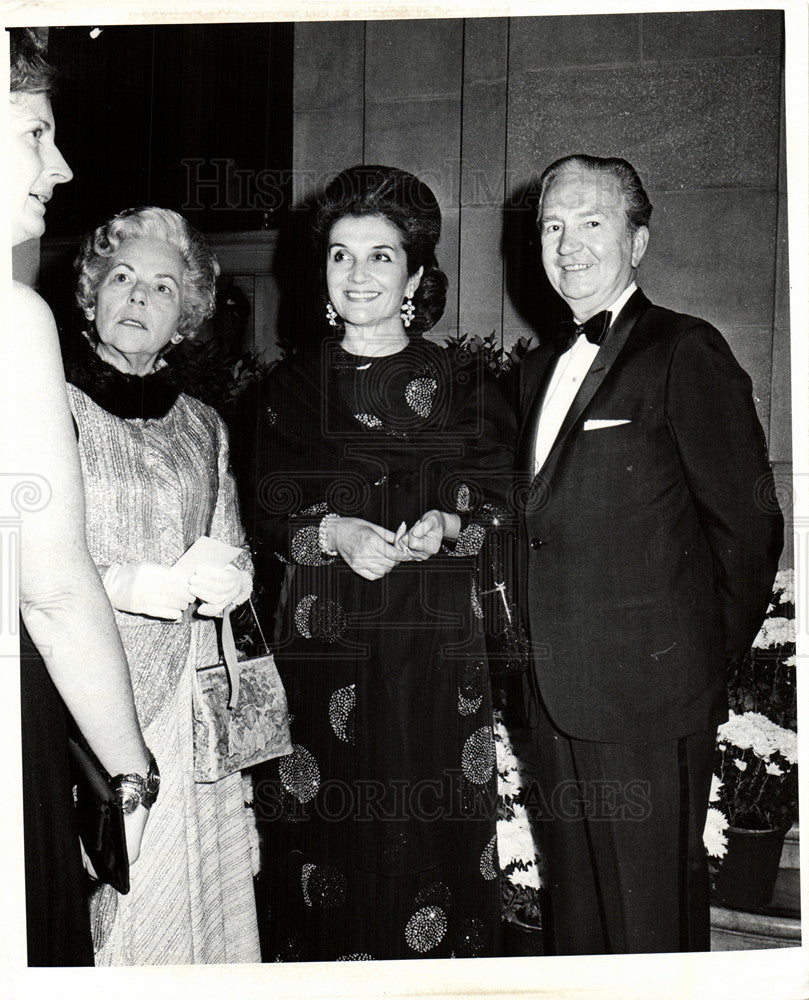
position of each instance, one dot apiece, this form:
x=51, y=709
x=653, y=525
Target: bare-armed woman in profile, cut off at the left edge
x=71, y=655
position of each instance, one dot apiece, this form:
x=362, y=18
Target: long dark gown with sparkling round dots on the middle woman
x=380, y=828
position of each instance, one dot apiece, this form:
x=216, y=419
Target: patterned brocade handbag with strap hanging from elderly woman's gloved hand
x=240, y=715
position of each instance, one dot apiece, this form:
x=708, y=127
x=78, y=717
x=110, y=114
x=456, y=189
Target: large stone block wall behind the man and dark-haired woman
x=477, y=107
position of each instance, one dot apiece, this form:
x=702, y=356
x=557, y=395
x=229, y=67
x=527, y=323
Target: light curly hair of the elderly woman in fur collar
x=201, y=265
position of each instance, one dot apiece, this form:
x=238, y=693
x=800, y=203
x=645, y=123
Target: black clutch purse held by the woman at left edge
x=100, y=818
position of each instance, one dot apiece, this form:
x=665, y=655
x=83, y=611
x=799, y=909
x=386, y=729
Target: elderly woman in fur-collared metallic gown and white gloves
x=156, y=470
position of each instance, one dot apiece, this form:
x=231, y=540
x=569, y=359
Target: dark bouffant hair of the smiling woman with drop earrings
x=407, y=203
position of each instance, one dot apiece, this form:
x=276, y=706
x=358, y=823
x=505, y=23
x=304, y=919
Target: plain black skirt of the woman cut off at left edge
x=57, y=916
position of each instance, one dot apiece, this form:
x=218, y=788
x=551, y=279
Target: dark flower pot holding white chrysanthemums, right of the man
x=747, y=876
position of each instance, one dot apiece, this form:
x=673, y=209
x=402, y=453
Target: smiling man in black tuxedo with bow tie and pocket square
x=649, y=542
